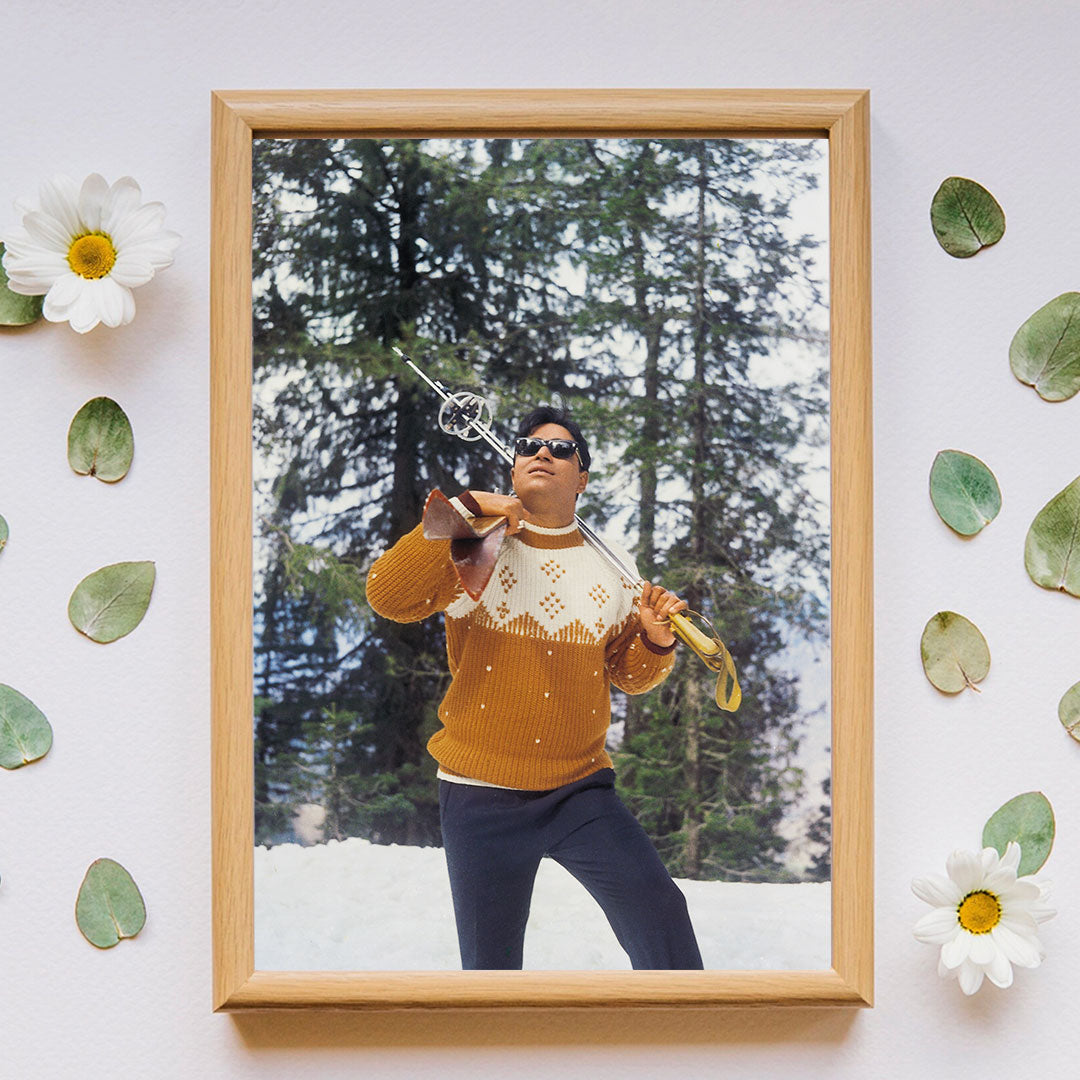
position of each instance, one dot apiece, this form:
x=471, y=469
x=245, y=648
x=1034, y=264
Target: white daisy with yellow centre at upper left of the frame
x=86, y=249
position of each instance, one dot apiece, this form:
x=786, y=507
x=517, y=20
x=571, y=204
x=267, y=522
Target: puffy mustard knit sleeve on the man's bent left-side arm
x=413, y=579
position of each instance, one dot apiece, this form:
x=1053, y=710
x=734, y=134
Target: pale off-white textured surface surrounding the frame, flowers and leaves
x=984, y=90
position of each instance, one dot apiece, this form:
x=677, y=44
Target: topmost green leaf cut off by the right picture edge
x=1046, y=350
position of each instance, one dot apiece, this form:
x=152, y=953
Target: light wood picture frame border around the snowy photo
x=841, y=117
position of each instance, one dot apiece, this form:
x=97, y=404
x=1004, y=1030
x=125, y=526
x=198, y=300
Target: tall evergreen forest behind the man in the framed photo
x=665, y=293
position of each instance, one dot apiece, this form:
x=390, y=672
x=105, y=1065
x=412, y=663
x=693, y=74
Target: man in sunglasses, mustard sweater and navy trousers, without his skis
x=523, y=769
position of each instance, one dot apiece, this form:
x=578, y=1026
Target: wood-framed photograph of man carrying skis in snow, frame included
x=685, y=276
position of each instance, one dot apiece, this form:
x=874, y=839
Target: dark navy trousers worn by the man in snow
x=495, y=840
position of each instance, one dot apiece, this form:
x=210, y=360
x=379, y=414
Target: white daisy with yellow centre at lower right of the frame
x=985, y=919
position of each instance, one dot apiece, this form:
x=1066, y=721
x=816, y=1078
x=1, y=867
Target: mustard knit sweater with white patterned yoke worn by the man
x=532, y=660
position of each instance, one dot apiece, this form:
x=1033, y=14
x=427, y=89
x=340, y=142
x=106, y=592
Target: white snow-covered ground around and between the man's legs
x=358, y=907
